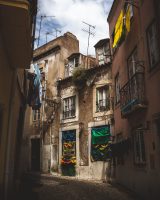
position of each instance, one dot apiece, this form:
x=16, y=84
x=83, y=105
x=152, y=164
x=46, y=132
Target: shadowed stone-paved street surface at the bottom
x=68, y=189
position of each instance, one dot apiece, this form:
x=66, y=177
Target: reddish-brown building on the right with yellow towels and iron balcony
x=134, y=31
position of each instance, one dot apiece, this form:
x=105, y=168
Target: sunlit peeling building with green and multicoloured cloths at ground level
x=86, y=115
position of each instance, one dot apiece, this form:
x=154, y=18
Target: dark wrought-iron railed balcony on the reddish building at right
x=132, y=94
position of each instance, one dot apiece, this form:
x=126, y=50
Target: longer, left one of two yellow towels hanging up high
x=118, y=29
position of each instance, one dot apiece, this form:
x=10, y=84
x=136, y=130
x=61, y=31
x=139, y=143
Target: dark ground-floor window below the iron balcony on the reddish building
x=139, y=147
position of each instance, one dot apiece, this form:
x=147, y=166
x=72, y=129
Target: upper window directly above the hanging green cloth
x=103, y=100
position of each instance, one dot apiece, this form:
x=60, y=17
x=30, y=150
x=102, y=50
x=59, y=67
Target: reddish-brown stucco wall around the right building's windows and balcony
x=144, y=180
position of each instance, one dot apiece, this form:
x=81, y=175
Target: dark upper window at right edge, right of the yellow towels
x=153, y=48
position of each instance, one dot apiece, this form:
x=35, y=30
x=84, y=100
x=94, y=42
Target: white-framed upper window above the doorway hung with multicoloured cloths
x=69, y=107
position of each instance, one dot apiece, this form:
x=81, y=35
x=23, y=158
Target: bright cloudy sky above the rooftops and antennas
x=69, y=15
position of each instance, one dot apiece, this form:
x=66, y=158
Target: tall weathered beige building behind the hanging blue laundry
x=42, y=147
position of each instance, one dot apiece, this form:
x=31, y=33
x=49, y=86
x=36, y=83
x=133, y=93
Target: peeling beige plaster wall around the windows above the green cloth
x=86, y=104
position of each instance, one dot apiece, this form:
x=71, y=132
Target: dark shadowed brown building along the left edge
x=17, y=22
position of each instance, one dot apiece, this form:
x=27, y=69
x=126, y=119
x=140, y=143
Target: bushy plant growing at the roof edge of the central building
x=79, y=77
